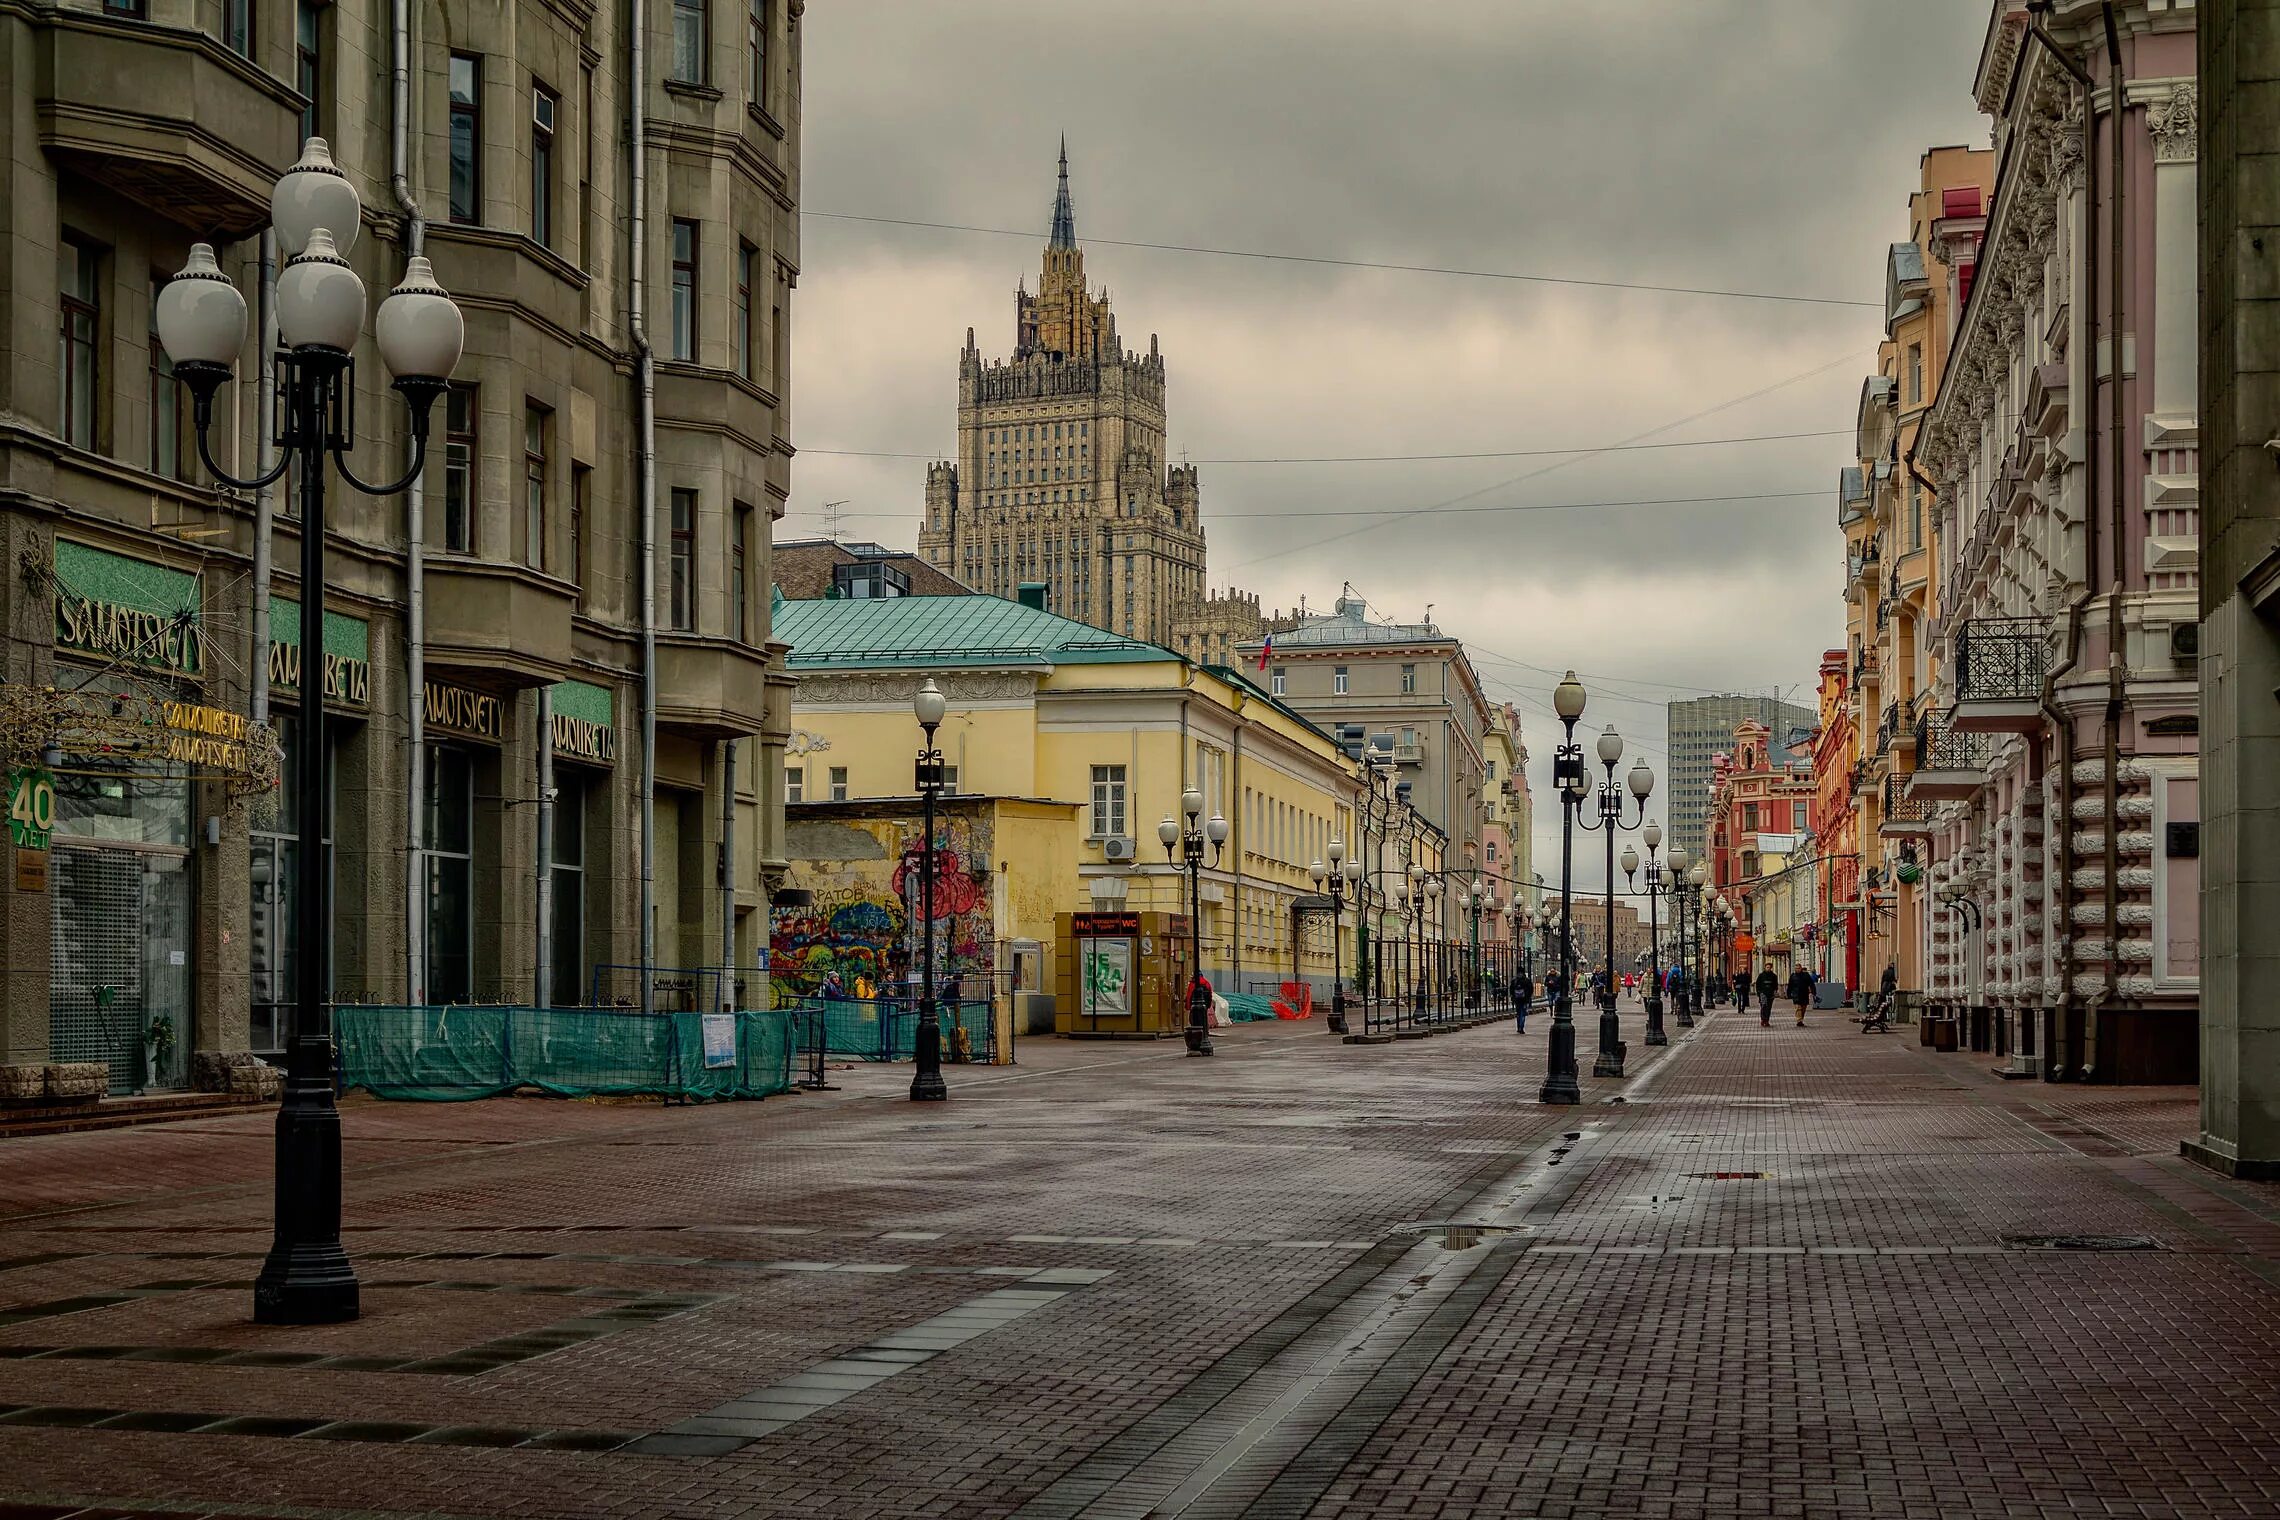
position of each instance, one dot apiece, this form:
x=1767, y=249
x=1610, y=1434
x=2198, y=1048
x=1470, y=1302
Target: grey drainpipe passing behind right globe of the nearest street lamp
x=400, y=26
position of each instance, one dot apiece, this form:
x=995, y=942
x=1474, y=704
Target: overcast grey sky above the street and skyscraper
x=1720, y=145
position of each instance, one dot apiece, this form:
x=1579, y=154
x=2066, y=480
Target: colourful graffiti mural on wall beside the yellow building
x=868, y=888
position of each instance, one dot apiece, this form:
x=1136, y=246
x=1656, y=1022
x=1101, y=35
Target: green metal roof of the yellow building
x=947, y=632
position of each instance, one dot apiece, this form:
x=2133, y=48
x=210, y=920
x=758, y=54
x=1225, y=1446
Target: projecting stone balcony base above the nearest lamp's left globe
x=170, y=120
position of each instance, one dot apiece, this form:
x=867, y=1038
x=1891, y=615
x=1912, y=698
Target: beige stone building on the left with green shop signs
x=487, y=632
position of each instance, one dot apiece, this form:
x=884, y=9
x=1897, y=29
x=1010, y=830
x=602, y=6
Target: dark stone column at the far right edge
x=2240, y=587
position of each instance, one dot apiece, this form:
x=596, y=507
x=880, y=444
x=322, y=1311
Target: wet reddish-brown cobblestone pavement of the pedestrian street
x=1773, y=1273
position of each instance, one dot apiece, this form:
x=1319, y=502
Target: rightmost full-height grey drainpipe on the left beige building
x=644, y=484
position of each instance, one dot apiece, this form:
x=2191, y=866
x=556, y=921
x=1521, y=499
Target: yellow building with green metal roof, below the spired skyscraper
x=1107, y=728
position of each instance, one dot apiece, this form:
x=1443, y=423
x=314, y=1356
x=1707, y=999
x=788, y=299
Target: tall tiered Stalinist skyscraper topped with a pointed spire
x=1064, y=475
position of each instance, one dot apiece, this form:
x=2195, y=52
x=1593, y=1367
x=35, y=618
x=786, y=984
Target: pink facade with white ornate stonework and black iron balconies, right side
x=2060, y=749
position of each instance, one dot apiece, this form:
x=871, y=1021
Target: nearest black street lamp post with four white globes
x=202, y=322
